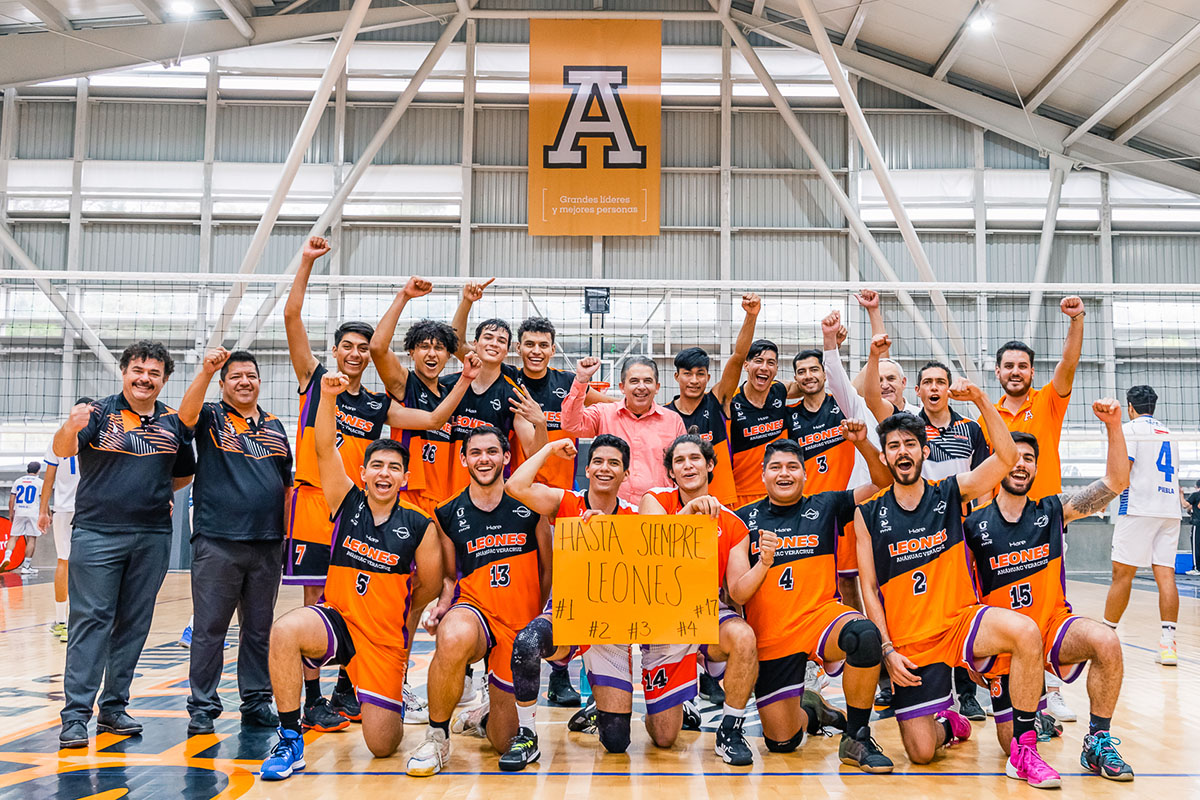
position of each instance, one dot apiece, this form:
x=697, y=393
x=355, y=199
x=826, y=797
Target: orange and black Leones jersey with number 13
x=496, y=555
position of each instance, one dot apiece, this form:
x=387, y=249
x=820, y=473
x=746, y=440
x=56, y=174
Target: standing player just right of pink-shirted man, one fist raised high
x=704, y=408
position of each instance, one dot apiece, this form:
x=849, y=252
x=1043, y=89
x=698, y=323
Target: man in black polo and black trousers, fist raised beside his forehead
x=243, y=472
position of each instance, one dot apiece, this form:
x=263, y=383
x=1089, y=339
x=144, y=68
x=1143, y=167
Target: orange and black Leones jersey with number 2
x=921, y=562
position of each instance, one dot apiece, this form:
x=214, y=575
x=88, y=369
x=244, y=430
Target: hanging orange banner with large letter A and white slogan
x=596, y=119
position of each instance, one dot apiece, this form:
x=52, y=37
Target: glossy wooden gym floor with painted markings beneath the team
x=1155, y=721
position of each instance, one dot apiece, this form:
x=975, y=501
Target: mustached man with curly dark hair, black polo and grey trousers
x=134, y=455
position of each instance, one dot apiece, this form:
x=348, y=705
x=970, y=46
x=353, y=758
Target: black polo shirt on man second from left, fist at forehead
x=243, y=472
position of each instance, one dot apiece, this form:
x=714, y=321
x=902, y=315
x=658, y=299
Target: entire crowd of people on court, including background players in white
x=752, y=539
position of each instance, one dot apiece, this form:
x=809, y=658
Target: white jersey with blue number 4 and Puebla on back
x=1154, y=477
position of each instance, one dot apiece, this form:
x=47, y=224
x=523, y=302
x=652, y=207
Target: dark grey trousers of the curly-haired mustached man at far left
x=113, y=584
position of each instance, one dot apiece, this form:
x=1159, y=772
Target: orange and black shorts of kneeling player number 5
x=376, y=670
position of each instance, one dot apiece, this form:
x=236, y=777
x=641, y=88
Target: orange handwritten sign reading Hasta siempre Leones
x=635, y=580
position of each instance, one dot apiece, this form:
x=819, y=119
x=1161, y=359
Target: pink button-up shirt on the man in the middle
x=649, y=437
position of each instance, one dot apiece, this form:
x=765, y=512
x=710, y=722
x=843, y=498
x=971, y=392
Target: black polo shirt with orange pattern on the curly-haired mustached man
x=127, y=466
